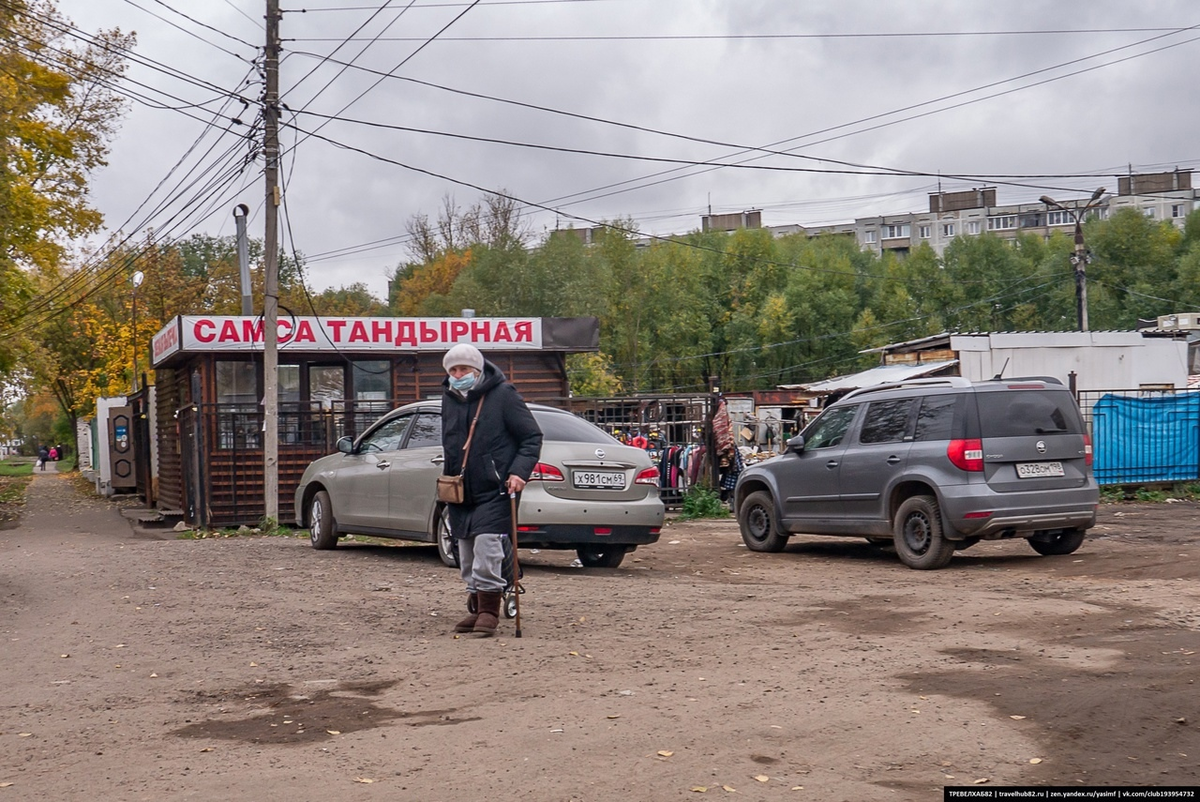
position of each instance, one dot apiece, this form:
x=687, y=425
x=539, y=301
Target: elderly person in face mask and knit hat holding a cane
x=491, y=440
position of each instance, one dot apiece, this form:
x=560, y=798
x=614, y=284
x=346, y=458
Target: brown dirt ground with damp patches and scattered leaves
x=142, y=667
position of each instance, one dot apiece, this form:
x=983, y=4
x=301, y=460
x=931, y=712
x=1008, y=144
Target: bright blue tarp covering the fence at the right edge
x=1147, y=439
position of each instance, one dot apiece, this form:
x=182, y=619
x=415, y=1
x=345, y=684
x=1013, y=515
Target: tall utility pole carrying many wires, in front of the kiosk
x=272, y=270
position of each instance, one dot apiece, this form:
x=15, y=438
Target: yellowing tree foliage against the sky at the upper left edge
x=58, y=115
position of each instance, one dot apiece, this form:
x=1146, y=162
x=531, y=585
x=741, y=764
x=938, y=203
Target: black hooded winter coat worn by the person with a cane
x=507, y=441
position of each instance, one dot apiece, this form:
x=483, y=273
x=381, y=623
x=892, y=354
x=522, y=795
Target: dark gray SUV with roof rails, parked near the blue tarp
x=932, y=466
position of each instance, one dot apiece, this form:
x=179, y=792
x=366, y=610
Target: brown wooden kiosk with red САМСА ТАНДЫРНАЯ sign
x=337, y=376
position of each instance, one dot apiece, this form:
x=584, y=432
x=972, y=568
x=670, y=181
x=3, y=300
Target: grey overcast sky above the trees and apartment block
x=965, y=93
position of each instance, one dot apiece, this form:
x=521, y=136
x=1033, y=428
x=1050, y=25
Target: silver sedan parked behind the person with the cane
x=589, y=493
